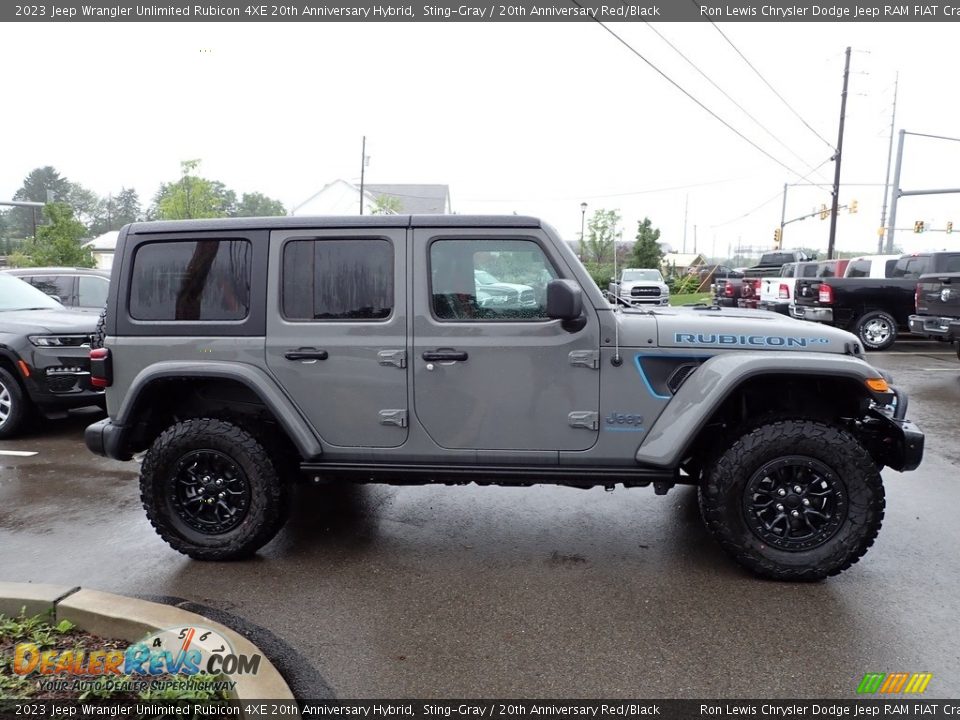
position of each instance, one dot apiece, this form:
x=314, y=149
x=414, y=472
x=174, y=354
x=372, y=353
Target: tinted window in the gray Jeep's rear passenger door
x=337, y=279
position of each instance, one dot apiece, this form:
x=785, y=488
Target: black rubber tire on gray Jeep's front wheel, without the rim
x=723, y=503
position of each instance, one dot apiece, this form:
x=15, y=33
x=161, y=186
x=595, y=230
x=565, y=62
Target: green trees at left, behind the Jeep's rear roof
x=53, y=234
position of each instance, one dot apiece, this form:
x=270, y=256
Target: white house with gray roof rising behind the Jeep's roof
x=343, y=198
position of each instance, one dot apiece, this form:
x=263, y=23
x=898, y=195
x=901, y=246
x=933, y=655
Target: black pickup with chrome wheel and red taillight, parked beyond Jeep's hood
x=874, y=309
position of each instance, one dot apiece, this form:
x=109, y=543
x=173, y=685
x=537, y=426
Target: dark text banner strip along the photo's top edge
x=475, y=11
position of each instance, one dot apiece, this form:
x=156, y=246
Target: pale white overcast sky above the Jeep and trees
x=528, y=117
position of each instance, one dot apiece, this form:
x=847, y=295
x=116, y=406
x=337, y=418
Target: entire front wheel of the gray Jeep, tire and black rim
x=794, y=500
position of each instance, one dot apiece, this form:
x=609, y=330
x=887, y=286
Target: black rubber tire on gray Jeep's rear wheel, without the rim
x=268, y=493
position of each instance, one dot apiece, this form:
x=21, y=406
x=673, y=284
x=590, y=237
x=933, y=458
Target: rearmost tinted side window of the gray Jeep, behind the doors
x=191, y=280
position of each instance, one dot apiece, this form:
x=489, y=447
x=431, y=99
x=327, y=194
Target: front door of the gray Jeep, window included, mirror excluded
x=491, y=371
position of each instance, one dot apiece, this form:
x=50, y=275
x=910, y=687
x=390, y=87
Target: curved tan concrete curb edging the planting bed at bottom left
x=123, y=618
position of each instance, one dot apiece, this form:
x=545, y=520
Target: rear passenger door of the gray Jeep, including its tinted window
x=337, y=329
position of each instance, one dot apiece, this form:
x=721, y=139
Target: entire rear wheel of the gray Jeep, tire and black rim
x=211, y=491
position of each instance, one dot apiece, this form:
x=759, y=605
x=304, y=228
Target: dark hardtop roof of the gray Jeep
x=334, y=221
